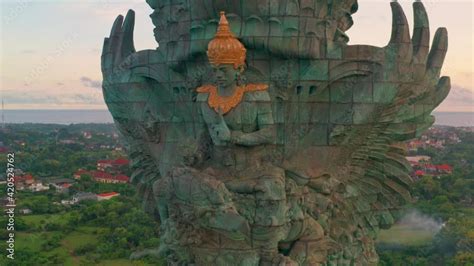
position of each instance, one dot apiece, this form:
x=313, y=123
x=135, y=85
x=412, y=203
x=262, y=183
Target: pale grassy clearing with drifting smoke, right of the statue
x=405, y=235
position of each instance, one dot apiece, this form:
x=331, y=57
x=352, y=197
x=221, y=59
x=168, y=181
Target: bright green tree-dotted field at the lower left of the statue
x=102, y=233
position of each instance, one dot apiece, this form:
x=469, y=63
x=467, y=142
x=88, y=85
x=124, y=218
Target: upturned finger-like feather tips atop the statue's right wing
x=410, y=60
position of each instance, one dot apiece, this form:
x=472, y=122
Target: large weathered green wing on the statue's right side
x=356, y=122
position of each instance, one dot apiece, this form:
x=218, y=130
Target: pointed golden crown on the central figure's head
x=225, y=48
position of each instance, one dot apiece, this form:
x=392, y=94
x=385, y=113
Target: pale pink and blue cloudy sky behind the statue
x=50, y=49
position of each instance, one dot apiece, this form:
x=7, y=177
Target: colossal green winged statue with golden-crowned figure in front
x=260, y=137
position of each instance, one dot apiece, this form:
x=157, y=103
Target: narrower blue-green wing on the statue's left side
x=156, y=120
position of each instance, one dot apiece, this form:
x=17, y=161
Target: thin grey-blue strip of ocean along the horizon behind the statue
x=456, y=119
